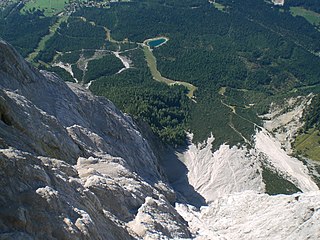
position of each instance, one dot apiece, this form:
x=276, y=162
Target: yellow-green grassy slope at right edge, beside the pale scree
x=308, y=144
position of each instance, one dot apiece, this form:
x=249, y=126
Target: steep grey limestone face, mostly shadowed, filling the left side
x=72, y=166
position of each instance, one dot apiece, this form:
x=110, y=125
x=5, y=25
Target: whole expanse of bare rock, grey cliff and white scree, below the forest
x=72, y=166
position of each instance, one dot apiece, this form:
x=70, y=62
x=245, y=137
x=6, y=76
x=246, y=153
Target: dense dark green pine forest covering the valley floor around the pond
x=241, y=57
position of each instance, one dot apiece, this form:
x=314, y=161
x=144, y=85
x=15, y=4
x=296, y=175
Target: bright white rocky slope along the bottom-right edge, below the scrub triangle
x=249, y=215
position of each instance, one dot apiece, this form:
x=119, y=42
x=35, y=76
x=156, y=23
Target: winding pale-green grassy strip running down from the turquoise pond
x=152, y=64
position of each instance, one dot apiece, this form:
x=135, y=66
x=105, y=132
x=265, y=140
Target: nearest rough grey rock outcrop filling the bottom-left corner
x=43, y=198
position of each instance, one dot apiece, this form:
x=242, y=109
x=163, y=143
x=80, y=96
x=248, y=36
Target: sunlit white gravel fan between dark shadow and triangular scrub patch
x=225, y=171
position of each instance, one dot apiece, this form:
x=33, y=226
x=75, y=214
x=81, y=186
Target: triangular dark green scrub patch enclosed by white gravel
x=276, y=184
